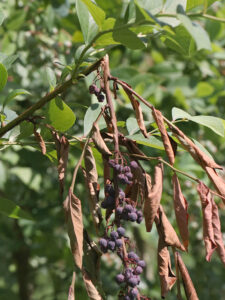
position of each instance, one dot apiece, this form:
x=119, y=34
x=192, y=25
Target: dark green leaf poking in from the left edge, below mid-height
x=10, y=209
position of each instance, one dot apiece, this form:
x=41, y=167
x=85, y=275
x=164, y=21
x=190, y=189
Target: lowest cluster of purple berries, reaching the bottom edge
x=130, y=276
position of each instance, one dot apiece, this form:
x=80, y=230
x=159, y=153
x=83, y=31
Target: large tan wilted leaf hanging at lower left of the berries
x=74, y=220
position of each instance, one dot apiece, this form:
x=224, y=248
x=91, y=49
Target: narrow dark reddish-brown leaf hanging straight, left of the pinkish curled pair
x=180, y=207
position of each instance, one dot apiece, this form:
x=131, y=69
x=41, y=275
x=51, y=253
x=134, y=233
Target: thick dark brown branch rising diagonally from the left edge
x=49, y=96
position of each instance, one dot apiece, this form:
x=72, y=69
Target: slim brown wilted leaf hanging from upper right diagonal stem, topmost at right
x=165, y=138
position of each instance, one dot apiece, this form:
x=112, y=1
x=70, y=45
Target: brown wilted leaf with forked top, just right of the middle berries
x=153, y=196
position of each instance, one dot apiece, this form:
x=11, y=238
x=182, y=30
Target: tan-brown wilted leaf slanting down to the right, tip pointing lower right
x=167, y=231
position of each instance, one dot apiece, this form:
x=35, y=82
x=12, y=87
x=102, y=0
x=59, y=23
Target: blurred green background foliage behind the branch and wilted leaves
x=36, y=262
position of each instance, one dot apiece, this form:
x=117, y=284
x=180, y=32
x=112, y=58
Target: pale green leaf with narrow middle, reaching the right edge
x=215, y=124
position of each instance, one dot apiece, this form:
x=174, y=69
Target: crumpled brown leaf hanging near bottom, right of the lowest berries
x=166, y=275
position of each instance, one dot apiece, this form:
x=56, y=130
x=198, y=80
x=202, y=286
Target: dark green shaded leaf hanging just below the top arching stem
x=128, y=38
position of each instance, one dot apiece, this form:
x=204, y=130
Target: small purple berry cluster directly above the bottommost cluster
x=114, y=241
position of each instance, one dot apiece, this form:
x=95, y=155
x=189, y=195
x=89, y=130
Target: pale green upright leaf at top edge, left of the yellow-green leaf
x=88, y=26
